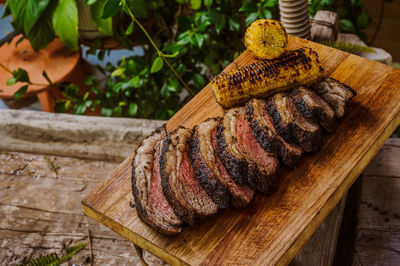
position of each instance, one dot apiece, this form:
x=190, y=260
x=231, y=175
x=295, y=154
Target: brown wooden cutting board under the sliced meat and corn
x=273, y=228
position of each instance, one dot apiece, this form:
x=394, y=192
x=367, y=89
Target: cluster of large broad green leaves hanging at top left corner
x=41, y=20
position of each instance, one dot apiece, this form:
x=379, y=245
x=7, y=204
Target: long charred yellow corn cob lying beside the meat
x=263, y=78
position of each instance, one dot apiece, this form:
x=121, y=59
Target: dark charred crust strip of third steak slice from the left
x=205, y=176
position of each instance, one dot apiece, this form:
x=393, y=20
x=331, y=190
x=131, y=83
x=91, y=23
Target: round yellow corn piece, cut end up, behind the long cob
x=266, y=38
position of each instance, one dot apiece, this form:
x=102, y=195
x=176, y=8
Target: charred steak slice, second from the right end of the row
x=314, y=108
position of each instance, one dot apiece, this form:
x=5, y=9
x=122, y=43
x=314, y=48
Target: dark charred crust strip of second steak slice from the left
x=188, y=216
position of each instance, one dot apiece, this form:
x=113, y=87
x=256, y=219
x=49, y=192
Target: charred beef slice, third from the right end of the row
x=291, y=125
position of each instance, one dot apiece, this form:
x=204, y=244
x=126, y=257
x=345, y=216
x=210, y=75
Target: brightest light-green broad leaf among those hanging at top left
x=65, y=23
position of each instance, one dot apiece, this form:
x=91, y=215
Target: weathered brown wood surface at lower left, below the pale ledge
x=40, y=211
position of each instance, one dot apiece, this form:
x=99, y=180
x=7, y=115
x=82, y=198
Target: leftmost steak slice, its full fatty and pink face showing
x=151, y=205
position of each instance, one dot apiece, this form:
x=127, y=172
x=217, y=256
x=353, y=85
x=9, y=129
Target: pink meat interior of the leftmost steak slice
x=157, y=197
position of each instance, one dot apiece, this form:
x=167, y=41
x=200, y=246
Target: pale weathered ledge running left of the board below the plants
x=89, y=137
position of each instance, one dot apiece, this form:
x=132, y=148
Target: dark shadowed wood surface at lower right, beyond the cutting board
x=378, y=230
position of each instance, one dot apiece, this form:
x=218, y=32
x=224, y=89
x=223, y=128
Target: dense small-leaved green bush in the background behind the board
x=184, y=44
